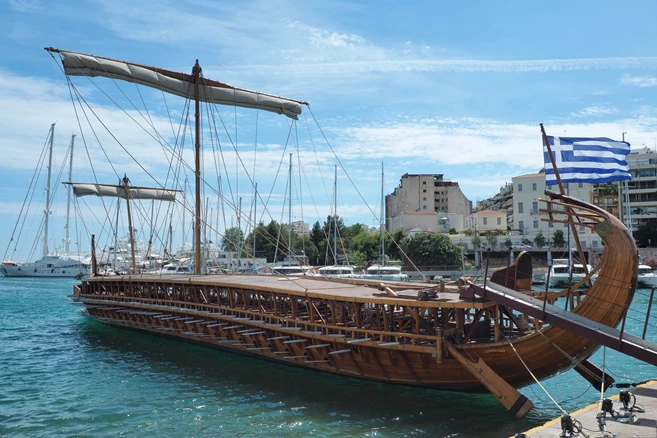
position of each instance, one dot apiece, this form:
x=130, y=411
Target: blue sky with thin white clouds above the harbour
x=452, y=88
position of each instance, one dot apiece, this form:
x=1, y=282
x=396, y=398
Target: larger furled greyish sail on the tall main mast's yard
x=180, y=84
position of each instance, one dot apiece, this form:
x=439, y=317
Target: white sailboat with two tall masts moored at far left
x=51, y=264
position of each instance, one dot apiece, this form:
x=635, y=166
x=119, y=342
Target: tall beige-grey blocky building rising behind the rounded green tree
x=426, y=193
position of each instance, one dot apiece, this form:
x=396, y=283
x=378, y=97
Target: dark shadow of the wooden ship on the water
x=314, y=396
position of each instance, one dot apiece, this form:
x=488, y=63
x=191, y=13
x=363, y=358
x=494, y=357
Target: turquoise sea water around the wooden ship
x=62, y=374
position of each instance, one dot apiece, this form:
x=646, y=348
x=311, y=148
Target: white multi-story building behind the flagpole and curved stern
x=528, y=190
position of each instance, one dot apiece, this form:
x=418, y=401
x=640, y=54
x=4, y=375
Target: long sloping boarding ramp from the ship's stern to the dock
x=608, y=336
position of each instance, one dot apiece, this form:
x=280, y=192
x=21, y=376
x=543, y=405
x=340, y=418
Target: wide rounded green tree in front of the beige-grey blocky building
x=432, y=250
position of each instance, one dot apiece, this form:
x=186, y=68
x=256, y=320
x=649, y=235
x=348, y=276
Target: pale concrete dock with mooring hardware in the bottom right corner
x=620, y=424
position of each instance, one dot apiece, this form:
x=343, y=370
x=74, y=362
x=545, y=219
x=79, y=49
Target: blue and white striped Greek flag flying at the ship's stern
x=588, y=160
